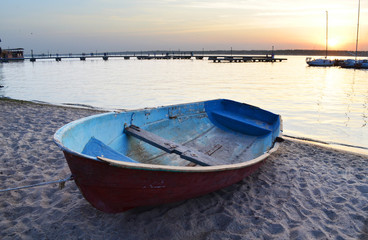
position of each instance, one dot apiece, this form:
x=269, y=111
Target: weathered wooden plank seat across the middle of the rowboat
x=168, y=146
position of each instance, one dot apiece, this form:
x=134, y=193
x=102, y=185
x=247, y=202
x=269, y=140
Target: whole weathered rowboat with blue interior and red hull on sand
x=122, y=160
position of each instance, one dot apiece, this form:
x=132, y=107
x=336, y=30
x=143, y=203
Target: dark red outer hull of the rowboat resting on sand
x=112, y=189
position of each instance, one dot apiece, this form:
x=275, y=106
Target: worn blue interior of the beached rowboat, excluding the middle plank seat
x=223, y=129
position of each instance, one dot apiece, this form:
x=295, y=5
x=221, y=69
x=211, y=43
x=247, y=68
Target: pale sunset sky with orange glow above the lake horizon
x=122, y=25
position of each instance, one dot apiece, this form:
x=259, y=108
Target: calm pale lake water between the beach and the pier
x=327, y=104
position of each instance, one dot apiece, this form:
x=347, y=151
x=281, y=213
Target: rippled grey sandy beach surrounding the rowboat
x=303, y=191
